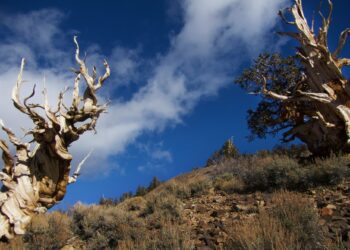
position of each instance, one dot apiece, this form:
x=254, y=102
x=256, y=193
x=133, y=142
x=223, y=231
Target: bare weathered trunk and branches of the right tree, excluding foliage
x=327, y=127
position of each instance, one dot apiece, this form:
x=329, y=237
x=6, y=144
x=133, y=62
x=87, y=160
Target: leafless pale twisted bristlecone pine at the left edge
x=35, y=180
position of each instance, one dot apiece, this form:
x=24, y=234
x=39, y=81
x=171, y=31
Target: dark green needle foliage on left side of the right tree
x=282, y=75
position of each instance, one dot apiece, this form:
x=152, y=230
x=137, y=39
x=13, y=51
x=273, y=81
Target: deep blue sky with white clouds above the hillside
x=173, y=65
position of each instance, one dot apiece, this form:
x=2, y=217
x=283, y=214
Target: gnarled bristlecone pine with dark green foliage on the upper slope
x=311, y=98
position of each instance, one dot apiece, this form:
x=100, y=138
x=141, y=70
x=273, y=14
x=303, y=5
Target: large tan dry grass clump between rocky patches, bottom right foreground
x=291, y=224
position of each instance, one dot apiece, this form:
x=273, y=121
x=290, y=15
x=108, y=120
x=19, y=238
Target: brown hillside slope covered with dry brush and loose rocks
x=263, y=201
